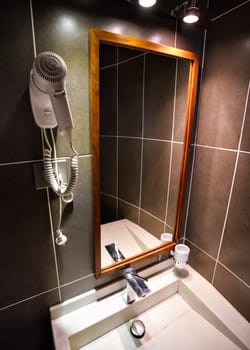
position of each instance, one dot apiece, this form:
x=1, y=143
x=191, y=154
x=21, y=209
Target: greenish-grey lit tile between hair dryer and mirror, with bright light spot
x=64, y=29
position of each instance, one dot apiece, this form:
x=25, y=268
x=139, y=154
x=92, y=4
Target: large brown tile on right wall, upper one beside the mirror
x=225, y=80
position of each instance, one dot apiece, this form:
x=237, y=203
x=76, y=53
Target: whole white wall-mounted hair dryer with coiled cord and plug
x=50, y=108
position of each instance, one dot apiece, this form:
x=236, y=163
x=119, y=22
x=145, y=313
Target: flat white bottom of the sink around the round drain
x=171, y=323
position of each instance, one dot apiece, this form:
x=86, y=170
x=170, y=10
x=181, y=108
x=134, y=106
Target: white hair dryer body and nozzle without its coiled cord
x=48, y=95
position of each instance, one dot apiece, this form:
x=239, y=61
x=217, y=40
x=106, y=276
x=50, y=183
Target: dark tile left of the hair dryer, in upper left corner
x=20, y=138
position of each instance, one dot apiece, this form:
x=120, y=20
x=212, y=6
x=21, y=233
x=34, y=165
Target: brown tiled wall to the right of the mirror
x=218, y=221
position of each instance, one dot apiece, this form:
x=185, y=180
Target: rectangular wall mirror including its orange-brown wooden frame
x=142, y=106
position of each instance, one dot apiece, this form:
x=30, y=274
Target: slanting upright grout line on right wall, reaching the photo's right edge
x=233, y=181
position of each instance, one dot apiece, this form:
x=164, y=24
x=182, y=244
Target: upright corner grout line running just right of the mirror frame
x=195, y=138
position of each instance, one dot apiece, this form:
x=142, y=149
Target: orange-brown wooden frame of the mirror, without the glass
x=97, y=37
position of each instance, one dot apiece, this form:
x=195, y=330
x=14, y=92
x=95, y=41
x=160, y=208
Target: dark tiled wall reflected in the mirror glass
x=143, y=106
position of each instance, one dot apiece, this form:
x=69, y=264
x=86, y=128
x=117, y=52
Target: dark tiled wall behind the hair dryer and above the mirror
x=34, y=273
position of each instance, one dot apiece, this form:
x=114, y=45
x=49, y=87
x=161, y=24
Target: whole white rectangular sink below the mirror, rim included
x=179, y=310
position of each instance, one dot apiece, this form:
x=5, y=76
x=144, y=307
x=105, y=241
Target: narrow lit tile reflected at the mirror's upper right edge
x=181, y=99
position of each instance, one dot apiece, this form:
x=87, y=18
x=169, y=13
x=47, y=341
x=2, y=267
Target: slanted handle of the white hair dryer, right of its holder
x=62, y=112
